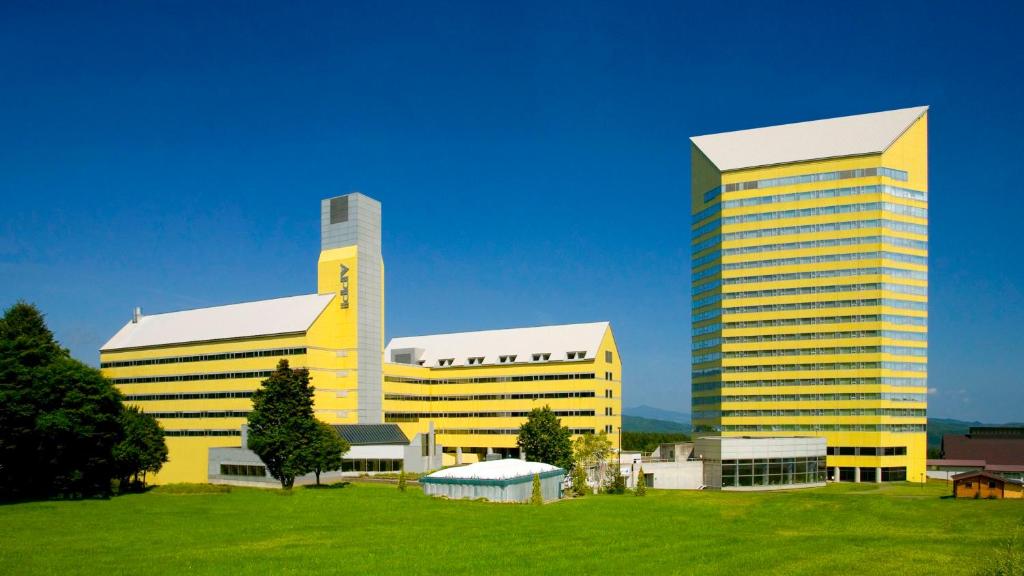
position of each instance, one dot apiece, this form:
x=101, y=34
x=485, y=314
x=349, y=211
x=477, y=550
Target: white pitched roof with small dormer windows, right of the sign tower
x=524, y=343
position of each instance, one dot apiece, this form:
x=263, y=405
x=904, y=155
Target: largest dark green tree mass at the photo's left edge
x=59, y=418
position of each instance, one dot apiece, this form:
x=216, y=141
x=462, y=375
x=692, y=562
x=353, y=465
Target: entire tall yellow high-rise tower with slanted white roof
x=810, y=289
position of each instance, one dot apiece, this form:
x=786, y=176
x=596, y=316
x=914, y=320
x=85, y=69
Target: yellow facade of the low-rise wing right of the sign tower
x=477, y=409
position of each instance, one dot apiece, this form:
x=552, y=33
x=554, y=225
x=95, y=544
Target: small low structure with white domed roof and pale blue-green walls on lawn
x=499, y=481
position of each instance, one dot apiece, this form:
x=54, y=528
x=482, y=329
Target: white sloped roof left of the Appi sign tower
x=280, y=316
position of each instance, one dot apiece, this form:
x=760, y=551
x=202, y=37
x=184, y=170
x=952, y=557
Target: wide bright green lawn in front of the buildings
x=375, y=529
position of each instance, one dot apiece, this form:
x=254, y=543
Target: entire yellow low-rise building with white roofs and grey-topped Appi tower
x=196, y=371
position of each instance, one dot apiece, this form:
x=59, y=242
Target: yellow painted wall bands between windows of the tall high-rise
x=909, y=153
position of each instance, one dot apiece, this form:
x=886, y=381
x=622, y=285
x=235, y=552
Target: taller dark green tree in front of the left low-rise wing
x=283, y=430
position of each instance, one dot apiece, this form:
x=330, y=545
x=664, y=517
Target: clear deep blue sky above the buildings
x=532, y=159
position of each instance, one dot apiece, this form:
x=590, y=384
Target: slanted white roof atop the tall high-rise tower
x=835, y=138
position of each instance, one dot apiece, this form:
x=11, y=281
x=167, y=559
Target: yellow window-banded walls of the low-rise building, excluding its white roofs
x=201, y=391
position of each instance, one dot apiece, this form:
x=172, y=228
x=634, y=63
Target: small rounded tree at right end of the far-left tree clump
x=142, y=448
